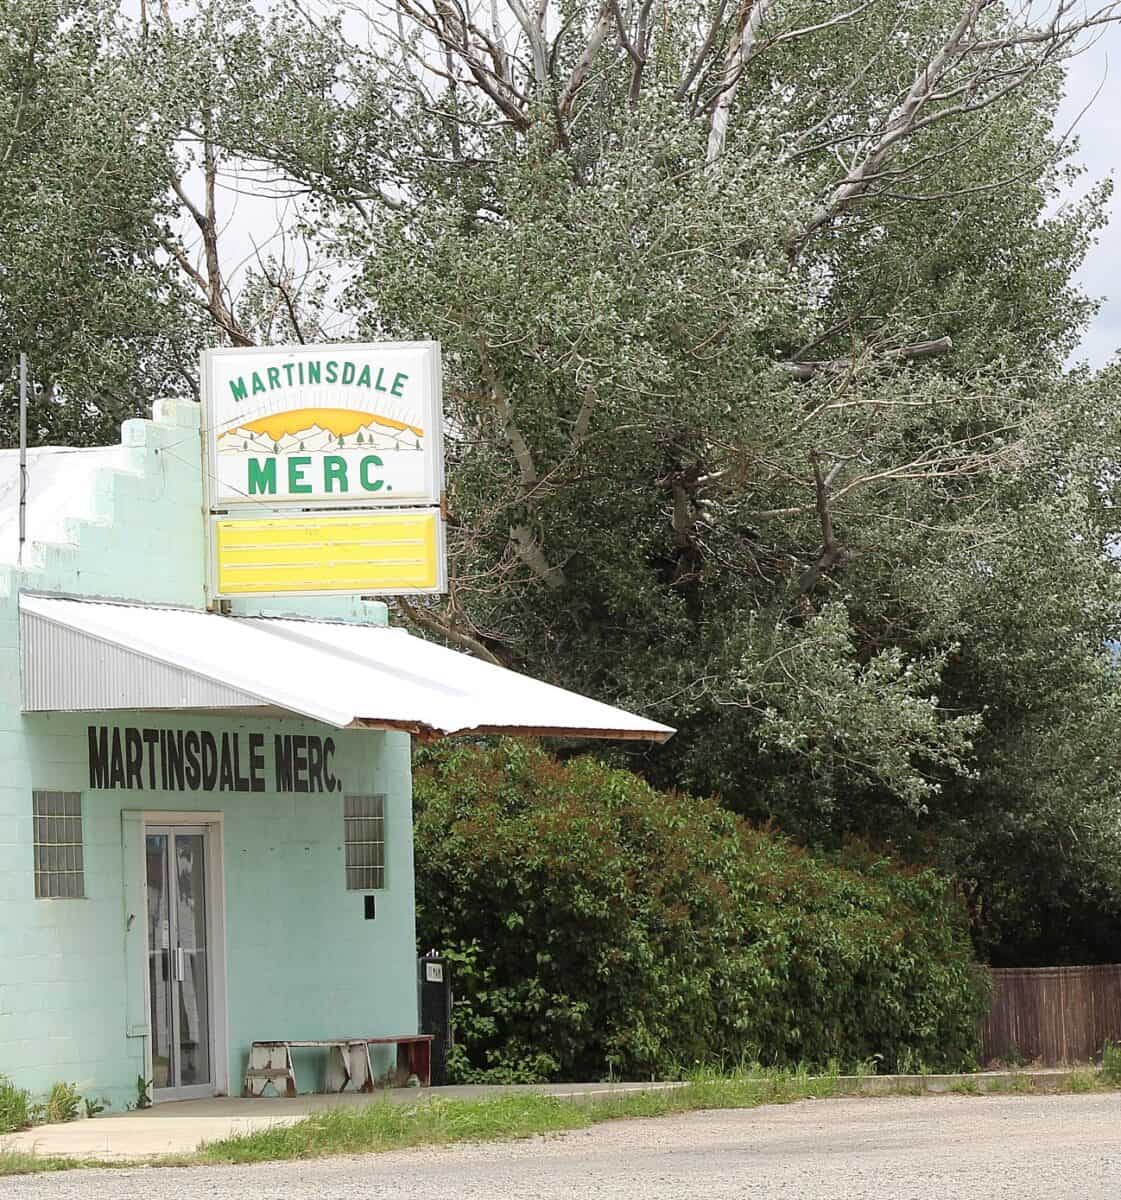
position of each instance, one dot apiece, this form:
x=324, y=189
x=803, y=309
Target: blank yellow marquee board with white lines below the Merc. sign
x=385, y=554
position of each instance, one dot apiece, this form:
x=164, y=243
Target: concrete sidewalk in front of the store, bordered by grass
x=182, y=1126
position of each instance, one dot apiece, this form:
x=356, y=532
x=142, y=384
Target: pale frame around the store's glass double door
x=213, y=823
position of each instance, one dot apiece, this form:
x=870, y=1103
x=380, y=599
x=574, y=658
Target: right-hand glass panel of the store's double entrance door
x=193, y=964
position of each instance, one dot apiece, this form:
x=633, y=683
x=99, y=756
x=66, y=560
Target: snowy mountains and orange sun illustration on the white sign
x=320, y=430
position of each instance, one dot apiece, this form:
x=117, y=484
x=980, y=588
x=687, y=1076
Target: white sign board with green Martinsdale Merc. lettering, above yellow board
x=325, y=427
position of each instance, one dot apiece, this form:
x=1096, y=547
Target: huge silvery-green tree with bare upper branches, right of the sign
x=756, y=317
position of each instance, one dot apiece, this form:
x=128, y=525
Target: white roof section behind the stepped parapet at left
x=61, y=487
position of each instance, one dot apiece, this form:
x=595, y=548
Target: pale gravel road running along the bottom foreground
x=1028, y=1148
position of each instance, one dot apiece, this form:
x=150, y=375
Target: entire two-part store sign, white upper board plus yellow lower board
x=325, y=470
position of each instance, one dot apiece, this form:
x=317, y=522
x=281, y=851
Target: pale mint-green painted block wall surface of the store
x=302, y=961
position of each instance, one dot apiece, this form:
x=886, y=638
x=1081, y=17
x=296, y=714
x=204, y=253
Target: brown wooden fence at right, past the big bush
x=1053, y=1015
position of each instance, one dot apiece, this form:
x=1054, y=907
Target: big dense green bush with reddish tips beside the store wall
x=600, y=927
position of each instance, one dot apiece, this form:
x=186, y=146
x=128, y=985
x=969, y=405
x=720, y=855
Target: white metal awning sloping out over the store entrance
x=83, y=656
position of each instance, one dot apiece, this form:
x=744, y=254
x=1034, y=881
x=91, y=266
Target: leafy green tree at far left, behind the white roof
x=86, y=291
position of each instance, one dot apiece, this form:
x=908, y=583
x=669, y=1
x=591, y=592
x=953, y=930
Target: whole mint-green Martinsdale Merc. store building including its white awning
x=206, y=829
